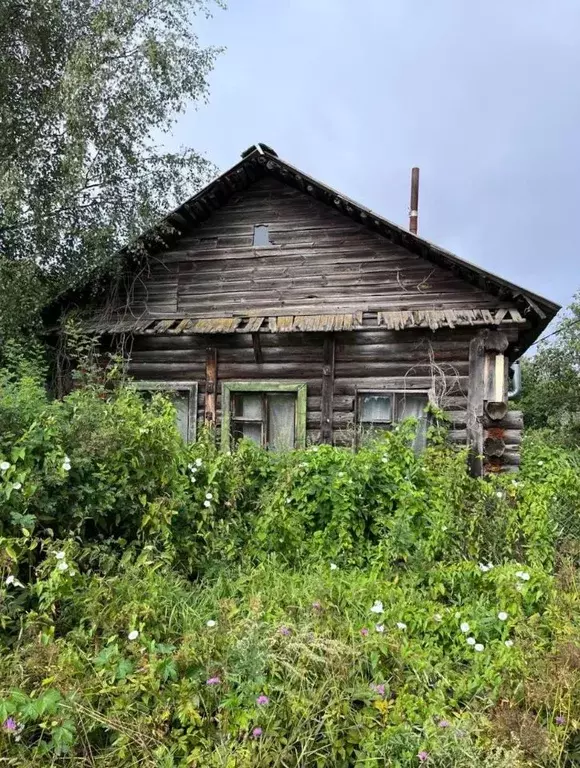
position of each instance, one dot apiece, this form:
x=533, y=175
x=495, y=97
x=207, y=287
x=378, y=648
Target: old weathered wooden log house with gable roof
x=278, y=309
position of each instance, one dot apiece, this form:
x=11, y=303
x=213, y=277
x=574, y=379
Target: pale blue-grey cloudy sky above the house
x=482, y=95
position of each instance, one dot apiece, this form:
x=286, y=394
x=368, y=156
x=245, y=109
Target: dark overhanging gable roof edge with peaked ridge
x=260, y=161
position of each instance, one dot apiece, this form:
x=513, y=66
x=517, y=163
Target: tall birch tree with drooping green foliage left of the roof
x=87, y=89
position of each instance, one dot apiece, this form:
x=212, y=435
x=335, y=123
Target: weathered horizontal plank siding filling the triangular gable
x=319, y=261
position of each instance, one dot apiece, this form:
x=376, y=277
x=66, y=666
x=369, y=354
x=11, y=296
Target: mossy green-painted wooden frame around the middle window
x=230, y=388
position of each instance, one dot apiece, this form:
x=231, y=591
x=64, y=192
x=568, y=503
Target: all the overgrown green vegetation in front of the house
x=167, y=605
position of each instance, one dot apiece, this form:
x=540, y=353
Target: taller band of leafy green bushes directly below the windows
x=104, y=464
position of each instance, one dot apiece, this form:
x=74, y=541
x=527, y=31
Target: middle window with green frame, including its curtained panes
x=271, y=413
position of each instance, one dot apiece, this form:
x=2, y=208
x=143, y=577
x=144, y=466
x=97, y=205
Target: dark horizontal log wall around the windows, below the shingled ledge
x=399, y=360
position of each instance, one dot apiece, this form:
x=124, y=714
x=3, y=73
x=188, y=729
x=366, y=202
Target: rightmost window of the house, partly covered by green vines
x=379, y=410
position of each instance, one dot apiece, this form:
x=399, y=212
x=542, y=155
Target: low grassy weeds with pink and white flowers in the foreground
x=124, y=666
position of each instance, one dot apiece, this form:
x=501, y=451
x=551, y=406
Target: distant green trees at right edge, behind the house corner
x=551, y=381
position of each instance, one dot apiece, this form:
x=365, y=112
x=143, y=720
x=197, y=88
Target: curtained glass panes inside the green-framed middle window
x=267, y=418
